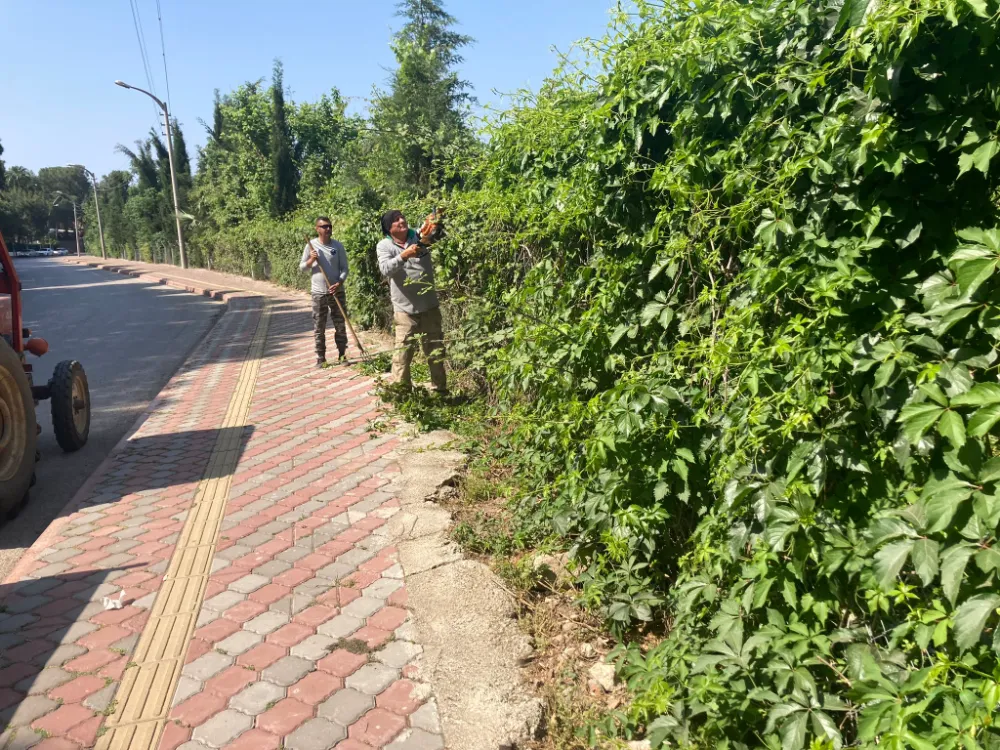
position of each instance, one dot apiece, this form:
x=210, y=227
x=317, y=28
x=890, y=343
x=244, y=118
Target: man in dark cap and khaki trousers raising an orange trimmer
x=405, y=261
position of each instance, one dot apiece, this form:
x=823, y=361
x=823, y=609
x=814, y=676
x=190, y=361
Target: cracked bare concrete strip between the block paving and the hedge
x=472, y=646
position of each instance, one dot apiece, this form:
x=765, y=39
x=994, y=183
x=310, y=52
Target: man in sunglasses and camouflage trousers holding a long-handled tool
x=327, y=260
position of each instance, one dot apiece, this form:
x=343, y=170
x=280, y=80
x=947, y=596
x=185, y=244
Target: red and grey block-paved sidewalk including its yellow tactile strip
x=263, y=604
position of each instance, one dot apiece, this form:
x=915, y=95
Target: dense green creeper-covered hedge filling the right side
x=739, y=301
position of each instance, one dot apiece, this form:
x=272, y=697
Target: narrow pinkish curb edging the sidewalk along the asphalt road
x=79, y=497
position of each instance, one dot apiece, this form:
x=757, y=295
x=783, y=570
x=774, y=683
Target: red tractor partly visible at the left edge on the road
x=19, y=396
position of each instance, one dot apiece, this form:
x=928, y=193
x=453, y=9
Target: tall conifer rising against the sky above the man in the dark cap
x=421, y=120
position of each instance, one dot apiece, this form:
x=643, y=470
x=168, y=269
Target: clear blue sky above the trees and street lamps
x=60, y=58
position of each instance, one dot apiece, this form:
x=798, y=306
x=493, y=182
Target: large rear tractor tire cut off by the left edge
x=18, y=431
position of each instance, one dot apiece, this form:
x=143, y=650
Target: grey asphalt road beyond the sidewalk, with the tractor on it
x=130, y=336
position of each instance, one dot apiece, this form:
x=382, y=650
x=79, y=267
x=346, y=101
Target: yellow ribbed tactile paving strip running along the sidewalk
x=142, y=702
